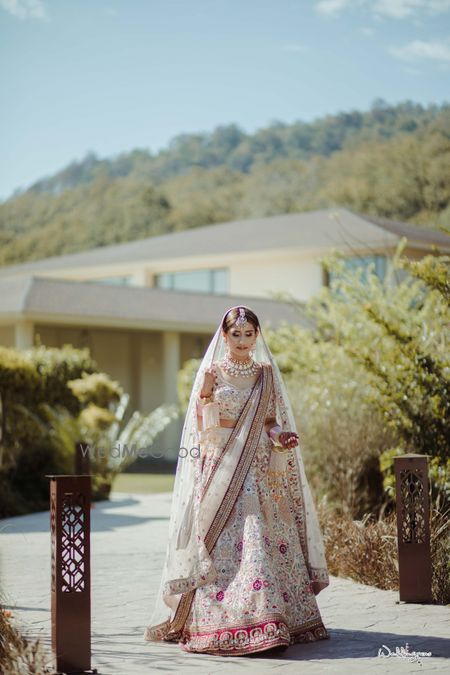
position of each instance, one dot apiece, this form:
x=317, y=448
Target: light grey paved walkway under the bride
x=127, y=547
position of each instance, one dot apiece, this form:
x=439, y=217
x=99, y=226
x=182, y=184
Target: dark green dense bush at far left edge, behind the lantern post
x=29, y=381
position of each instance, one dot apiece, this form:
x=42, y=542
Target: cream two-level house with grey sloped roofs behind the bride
x=144, y=307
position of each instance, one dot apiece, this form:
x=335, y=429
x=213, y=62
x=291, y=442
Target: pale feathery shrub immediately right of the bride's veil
x=341, y=435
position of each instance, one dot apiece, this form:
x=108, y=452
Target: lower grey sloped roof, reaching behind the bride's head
x=85, y=302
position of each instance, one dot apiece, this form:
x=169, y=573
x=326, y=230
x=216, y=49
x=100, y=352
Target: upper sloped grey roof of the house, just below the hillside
x=323, y=229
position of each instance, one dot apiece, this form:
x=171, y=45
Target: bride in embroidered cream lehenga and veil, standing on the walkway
x=245, y=556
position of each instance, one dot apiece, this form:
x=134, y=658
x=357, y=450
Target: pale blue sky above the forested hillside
x=112, y=75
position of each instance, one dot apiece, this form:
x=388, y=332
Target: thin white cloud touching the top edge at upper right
x=395, y=9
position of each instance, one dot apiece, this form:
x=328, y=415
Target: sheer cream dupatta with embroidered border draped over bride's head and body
x=198, y=517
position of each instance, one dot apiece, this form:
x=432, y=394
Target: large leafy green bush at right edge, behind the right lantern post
x=390, y=337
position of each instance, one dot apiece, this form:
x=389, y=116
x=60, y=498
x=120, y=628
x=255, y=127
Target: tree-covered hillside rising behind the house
x=392, y=161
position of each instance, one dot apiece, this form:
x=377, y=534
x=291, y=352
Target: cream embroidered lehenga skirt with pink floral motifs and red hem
x=262, y=597
